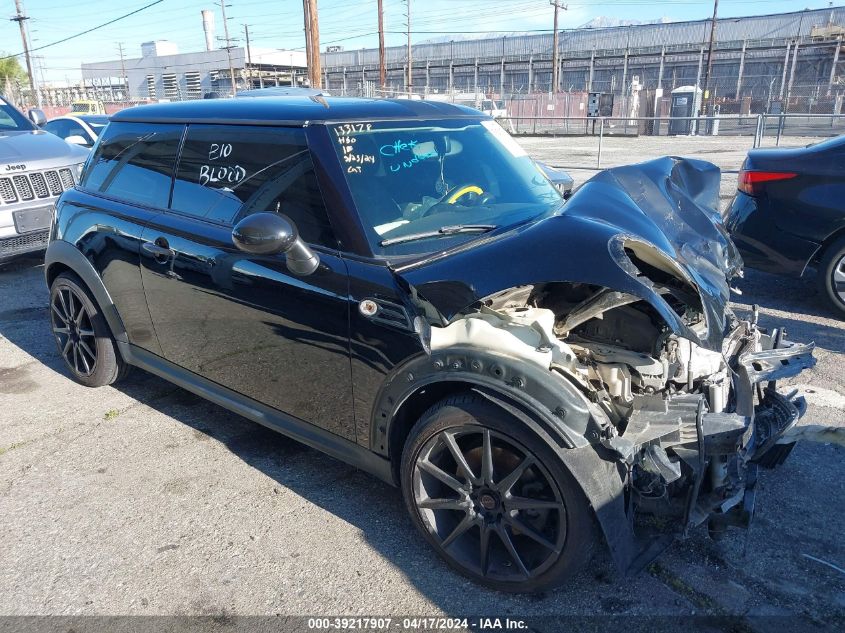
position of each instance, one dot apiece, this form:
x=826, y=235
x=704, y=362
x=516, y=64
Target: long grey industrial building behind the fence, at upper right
x=790, y=58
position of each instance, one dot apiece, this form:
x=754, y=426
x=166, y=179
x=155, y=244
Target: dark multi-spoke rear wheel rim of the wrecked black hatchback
x=74, y=331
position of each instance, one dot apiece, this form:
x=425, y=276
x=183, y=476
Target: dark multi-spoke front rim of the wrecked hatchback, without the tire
x=490, y=505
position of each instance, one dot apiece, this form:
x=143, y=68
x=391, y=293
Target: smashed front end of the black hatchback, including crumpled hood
x=608, y=324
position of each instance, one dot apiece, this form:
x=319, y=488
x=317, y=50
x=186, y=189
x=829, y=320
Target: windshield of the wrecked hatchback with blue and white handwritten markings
x=425, y=186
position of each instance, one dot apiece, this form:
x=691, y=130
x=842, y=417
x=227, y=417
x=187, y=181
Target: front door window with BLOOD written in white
x=228, y=172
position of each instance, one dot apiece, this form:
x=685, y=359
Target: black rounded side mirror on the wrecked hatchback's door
x=271, y=233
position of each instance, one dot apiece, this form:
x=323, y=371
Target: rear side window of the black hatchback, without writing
x=134, y=162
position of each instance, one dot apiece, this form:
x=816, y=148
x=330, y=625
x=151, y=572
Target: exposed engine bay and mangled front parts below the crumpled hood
x=691, y=424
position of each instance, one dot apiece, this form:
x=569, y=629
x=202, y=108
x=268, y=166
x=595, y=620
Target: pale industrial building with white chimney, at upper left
x=161, y=72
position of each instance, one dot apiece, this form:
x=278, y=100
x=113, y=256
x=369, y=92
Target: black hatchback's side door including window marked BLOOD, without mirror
x=245, y=321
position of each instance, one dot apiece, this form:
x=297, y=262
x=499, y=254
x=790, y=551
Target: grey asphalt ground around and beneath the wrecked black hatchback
x=143, y=499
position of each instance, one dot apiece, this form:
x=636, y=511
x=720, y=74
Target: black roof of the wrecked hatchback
x=293, y=111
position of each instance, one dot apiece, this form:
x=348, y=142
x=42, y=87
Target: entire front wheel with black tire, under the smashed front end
x=550, y=534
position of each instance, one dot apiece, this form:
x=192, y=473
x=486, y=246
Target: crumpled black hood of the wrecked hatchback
x=667, y=207
